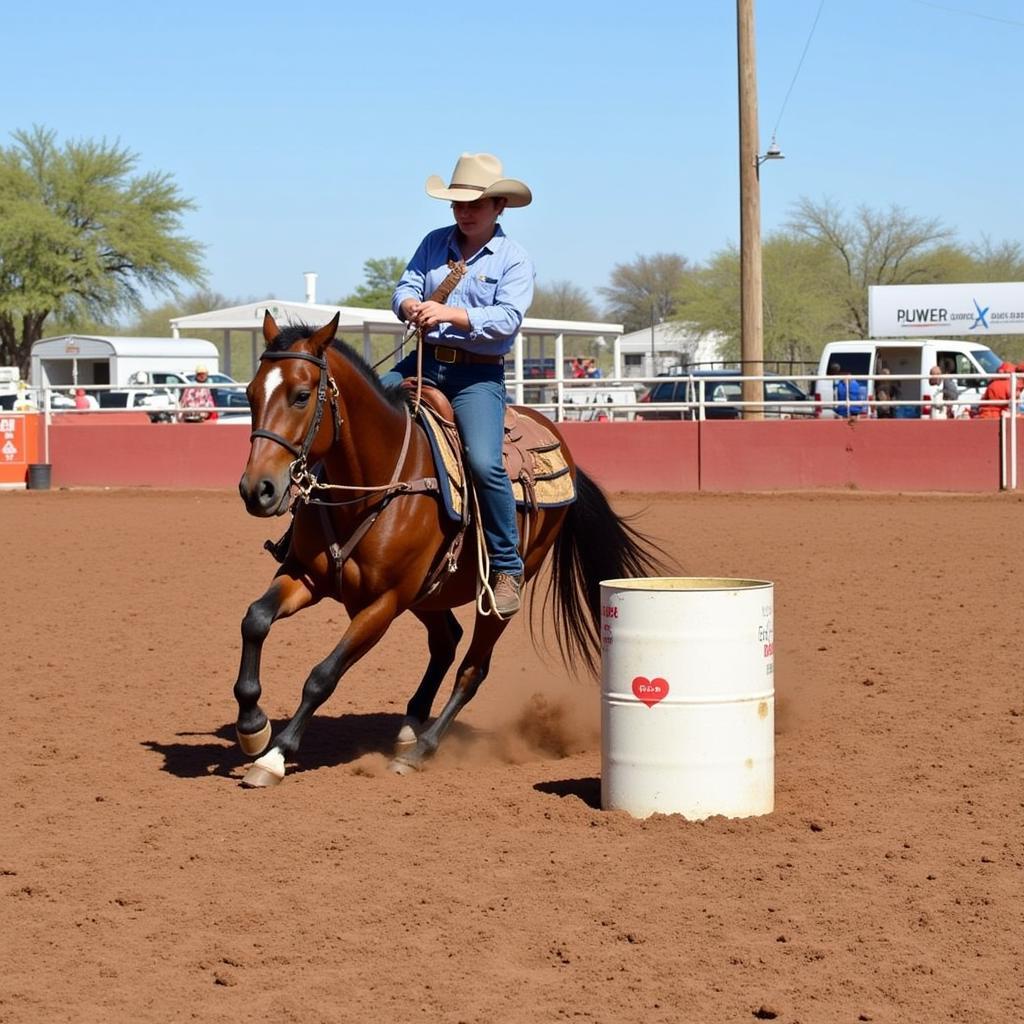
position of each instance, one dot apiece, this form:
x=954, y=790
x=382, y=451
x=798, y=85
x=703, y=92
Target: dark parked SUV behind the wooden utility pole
x=784, y=399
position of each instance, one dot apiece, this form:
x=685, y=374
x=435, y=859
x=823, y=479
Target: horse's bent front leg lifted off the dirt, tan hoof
x=286, y=595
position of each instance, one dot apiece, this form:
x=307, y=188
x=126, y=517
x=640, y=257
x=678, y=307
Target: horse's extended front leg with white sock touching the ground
x=364, y=631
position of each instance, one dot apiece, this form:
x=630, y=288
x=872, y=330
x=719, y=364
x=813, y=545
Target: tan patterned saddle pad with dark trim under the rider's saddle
x=533, y=457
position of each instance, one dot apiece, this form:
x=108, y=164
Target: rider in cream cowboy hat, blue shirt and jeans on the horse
x=465, y=342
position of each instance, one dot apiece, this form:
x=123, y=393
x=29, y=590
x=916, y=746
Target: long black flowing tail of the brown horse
x=594, y=544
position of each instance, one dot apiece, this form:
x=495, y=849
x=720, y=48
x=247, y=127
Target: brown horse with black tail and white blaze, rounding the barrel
x=316, y=403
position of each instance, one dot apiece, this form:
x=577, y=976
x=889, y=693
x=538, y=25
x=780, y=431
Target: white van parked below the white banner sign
x=865, y=359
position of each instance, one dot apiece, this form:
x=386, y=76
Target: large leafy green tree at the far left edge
x=81, y=236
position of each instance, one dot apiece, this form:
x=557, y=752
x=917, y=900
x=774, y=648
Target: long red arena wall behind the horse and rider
x=867, y=455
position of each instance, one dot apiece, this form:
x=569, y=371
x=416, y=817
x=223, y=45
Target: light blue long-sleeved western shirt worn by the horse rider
x=496, y=290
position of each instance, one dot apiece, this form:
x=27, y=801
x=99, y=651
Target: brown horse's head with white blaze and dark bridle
x=288, y=396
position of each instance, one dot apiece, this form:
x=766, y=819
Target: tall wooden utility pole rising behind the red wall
x=752, y=324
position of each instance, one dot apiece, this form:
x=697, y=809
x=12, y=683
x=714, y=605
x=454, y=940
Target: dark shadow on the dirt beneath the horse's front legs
x=330, y=741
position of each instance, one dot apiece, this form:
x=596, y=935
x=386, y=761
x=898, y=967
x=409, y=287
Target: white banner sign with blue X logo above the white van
x=937, y=311
